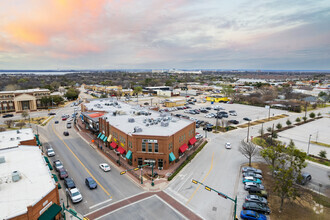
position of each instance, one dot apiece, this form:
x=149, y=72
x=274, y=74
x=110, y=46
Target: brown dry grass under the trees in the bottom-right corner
x=301, y=208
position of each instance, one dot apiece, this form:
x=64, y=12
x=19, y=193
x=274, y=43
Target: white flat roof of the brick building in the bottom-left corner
x=35, y=183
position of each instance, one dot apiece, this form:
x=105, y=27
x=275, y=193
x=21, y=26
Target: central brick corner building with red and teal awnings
x=141, y=135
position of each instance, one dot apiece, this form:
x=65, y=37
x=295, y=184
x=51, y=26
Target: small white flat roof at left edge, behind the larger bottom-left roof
x=13, y=138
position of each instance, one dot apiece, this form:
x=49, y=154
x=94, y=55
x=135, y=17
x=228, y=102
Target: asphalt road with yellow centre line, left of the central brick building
x=81, y=161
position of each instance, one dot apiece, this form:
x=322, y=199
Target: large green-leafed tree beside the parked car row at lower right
x=288, y=171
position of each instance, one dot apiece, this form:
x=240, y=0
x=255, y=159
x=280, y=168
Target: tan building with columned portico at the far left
x=21, y=100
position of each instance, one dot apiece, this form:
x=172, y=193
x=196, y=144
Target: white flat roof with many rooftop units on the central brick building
x=150, y=124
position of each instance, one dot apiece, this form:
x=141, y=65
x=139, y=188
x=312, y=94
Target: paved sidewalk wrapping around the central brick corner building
x=160, y=182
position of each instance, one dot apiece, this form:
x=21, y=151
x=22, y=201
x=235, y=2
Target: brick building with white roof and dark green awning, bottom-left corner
x=27, y=188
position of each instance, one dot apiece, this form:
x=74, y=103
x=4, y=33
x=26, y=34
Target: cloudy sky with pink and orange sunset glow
x=157, y=34
